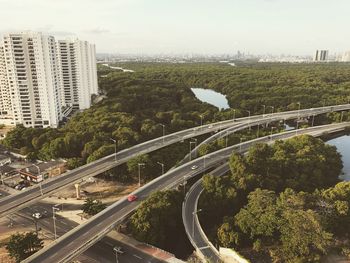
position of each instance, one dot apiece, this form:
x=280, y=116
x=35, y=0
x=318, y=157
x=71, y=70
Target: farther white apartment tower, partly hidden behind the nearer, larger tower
x=78, y=73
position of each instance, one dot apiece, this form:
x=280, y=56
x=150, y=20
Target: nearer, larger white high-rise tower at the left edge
x=32, y=79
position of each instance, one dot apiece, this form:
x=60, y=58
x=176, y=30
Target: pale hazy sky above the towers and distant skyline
x=296, y=27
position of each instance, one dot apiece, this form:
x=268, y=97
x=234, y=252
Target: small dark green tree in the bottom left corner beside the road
x=21, y=246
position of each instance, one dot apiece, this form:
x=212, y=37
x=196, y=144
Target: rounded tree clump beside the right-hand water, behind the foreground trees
x=301, y=163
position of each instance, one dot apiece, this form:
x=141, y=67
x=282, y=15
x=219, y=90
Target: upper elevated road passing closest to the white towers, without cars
x=16, y=202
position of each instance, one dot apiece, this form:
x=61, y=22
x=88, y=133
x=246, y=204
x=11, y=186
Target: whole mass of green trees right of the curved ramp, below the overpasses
x=280, y=203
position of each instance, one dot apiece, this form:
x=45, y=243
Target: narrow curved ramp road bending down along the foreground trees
x=192, y=226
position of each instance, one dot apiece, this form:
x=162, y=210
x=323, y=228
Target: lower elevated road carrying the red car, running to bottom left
x=77, y=241
